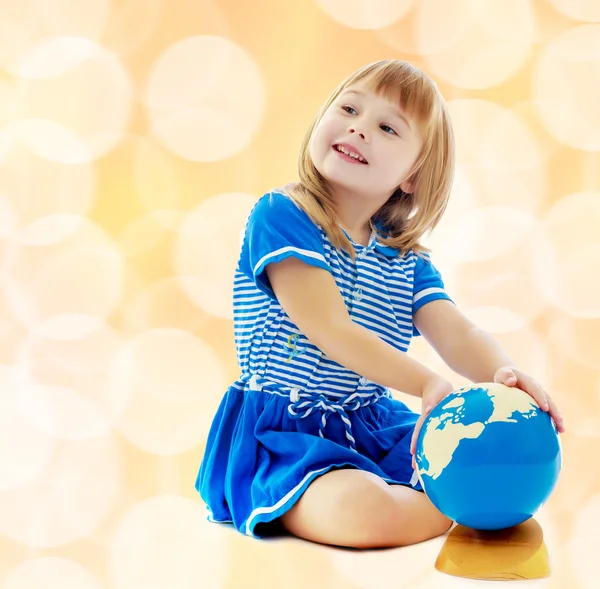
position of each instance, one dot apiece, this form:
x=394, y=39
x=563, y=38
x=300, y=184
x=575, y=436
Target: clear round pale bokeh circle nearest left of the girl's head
x=205, y=97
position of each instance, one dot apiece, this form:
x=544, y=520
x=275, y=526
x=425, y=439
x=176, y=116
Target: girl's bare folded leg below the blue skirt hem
x=357, y=509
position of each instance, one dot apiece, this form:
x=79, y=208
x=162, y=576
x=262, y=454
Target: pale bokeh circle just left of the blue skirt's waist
x=159, y=417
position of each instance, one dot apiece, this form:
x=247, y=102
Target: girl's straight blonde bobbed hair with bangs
x=404, y=218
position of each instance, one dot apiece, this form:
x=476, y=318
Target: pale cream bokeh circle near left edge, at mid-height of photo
x=68, y=287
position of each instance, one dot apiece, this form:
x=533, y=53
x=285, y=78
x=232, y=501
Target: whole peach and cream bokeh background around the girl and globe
x=135, y=135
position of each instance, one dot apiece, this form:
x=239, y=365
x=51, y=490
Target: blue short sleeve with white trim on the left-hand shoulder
x=278, y=229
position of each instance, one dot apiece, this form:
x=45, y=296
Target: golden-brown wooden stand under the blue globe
x=515, y=553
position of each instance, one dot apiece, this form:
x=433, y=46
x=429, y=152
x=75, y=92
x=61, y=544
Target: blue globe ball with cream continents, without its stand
x=488, y=457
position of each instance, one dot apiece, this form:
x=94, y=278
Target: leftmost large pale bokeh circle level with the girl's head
x=75, y=100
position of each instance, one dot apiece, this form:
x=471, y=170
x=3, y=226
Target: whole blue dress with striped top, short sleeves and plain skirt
x=294, y=413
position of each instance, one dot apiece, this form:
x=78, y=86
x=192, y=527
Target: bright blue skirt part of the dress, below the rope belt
x=260, y=458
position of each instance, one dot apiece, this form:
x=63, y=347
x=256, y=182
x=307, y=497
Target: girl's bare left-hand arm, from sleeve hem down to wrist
x=312, y=300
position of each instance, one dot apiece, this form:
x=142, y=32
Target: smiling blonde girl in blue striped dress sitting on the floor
x=331, y=285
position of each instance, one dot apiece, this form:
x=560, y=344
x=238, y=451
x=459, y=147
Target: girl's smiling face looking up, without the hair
x=365, y=144
